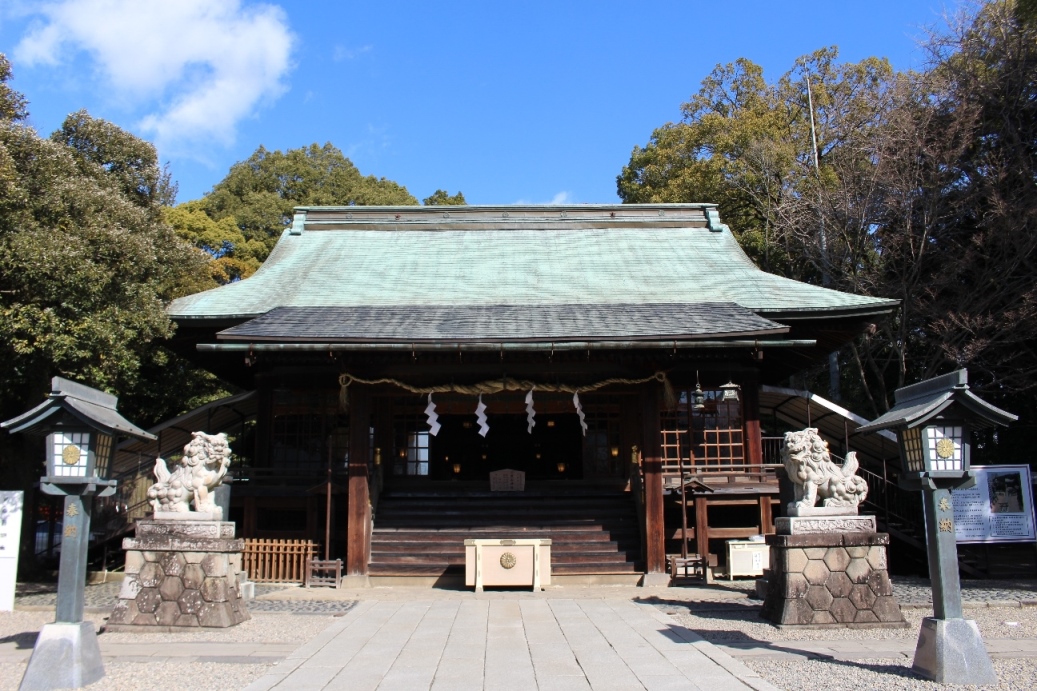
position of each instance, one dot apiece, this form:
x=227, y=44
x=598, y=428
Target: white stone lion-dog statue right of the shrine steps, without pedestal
x=806, y=459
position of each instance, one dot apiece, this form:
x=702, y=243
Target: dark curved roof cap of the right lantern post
x=920, y=403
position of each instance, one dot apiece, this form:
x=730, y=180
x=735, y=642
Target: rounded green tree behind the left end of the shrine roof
x=261, y=192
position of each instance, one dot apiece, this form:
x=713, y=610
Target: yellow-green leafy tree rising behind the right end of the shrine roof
x=748, y=146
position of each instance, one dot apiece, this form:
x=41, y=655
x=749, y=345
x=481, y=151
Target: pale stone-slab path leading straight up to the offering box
x=503, y=645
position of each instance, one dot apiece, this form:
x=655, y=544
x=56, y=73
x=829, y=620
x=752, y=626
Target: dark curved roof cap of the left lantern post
x=70, y=403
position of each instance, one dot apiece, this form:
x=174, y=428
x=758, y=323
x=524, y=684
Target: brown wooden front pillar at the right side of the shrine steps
x=652, y=459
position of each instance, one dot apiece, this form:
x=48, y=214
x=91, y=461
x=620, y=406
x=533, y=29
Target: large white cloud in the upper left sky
x=200, y=66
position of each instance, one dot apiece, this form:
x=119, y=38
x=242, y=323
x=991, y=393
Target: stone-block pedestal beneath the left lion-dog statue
x=181, y=575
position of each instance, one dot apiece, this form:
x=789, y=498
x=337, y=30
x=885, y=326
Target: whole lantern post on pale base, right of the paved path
x=934, y=422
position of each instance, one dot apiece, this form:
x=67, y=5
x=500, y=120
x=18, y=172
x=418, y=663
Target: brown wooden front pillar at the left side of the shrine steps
x=358, y=548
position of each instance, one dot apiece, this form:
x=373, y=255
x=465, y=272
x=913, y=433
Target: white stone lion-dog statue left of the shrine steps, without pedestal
x=200, y=472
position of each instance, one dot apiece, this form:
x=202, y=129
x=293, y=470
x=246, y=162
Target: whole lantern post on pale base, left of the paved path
x=81, y=426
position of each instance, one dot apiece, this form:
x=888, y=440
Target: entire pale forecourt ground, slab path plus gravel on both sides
x=574, y=638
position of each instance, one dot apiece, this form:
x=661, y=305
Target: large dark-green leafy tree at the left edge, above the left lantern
x=88, y=265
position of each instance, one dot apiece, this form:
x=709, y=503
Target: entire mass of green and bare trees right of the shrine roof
x=923, y=190
